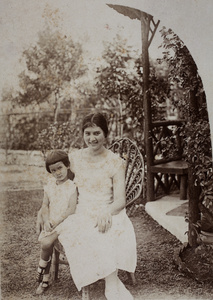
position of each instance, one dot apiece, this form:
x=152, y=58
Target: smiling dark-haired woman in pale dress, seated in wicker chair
x=99, y=238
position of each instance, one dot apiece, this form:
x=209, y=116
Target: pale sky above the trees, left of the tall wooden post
x=91, y=22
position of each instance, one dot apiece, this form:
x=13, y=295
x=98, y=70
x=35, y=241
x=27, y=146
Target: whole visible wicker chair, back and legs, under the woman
x=129, y=151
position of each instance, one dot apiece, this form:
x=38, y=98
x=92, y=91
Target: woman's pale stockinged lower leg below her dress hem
x=115, y=289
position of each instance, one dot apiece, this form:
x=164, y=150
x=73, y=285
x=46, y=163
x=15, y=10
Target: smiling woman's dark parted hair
x=96, y=119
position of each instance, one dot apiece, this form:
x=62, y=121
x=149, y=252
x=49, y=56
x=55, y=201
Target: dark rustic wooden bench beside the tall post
x=168, y=170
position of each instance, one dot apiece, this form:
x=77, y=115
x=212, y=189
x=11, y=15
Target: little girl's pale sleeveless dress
x=59, y=197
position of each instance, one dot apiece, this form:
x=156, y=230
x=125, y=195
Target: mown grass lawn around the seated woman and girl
x=157, y=277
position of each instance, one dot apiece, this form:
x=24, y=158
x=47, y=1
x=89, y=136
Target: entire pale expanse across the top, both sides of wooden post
x=92, y=22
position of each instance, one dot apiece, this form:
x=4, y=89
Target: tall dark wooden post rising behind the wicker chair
x=145, y=25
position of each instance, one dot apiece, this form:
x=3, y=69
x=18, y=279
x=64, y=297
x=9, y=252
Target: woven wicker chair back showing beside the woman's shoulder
x=129, y=151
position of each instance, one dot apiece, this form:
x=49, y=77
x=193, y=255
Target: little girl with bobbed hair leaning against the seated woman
x=60, y=198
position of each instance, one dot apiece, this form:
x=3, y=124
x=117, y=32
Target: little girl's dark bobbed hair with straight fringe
x=55, y=156
